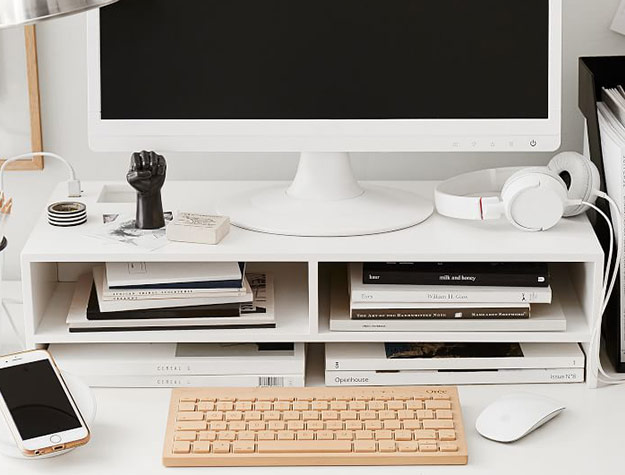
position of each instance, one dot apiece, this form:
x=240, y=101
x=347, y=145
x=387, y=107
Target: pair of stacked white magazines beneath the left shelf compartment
x=184, y=364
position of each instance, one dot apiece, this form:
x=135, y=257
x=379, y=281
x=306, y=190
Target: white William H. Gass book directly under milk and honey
x=413, y=294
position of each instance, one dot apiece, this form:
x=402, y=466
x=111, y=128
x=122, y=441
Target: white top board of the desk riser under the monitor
x=437, y=238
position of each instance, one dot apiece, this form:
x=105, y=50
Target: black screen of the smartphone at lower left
x=36, y=400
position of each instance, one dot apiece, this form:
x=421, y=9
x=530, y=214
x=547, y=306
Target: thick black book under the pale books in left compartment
x=201, y=311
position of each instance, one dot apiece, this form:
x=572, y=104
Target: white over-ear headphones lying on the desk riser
x=532, y=199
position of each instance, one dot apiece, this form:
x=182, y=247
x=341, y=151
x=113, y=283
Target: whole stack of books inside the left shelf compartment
x=165, y=296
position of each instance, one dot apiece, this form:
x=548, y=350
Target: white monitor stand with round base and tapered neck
x=325, y=199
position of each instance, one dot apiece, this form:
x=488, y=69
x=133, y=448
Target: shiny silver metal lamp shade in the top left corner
x=25, y=12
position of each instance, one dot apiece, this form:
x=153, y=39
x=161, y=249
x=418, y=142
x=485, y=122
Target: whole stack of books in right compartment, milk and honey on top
x=448, y=297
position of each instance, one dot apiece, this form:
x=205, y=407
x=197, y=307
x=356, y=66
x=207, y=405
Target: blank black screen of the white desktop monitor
x=325, y=59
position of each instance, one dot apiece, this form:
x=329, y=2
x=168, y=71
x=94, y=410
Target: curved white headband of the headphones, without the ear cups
x=462, y=197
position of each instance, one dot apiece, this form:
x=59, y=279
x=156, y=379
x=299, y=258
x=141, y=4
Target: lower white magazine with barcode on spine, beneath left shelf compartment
x=215, y=381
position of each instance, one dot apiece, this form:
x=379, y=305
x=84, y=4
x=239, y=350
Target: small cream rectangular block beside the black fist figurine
x=198, y=228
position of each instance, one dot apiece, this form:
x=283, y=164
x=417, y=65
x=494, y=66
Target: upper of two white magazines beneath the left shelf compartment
x=178, y=359
